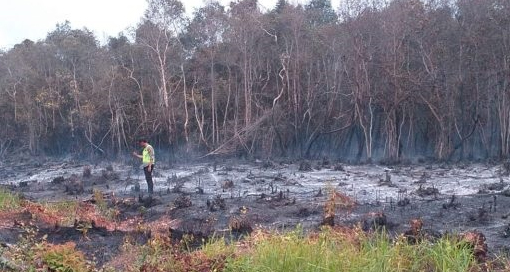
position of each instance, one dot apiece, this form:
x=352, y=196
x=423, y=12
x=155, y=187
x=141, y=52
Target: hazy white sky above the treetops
x=33, y=19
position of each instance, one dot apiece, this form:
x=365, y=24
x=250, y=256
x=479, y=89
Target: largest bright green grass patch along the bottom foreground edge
x=336, y=252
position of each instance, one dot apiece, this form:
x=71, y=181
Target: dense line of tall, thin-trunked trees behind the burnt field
x=385, y=80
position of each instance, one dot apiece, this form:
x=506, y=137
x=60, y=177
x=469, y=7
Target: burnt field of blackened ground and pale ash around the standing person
x=232, y=198
